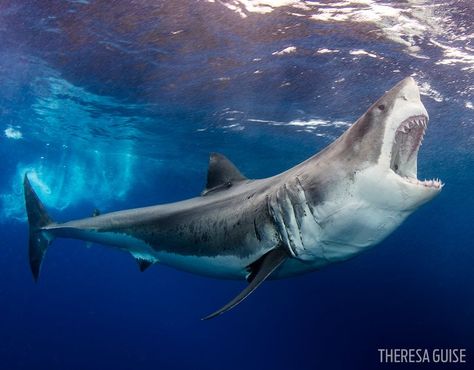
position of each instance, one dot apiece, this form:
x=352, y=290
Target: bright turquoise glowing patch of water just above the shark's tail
x=94, y=177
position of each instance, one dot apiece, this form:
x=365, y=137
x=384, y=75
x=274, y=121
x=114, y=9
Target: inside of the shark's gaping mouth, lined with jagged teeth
x=408, y=139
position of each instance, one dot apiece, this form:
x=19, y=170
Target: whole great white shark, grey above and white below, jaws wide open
x=329, y=208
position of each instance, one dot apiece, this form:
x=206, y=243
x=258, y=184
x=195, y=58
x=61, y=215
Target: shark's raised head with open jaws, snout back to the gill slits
x=364, y=185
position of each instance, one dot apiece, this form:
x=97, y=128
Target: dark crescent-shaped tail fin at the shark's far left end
x=37, y=219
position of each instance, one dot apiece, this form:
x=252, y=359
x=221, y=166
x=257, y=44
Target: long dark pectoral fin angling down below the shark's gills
x=268, y=263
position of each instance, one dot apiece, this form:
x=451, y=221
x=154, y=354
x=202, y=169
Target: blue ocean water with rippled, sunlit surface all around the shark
x=114, y=105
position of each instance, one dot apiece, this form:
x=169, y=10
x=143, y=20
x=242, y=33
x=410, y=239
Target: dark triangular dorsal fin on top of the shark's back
x=221, y=174
